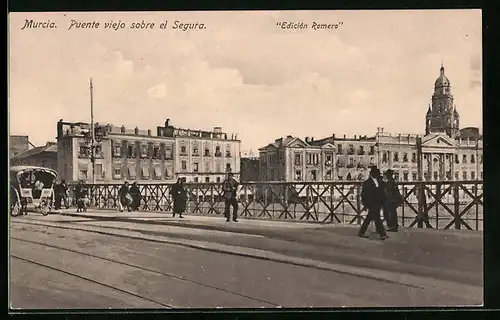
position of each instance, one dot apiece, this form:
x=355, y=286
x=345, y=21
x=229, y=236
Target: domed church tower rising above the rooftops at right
x=442, y=116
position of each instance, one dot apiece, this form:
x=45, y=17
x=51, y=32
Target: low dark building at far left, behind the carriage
x=44, y=156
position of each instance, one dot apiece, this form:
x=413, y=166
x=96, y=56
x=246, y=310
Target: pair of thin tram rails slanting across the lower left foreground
x=137, y=267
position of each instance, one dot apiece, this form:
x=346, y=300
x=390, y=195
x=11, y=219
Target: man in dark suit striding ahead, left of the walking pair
x=373, y=198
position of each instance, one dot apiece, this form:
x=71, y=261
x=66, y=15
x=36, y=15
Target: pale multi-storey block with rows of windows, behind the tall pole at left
x=138, y=155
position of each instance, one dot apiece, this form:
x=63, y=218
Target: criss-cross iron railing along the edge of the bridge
x=441, y=204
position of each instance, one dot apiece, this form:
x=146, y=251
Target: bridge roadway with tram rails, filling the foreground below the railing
x=109, y=259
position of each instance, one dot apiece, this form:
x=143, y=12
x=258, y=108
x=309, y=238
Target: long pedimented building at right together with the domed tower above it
x=448, y=152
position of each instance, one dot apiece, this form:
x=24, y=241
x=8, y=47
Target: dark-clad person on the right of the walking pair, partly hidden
x=393, y=201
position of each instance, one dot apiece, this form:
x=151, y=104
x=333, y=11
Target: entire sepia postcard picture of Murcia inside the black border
x=245, y=159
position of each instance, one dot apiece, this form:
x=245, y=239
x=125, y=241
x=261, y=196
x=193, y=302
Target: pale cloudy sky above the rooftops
x=244, y=73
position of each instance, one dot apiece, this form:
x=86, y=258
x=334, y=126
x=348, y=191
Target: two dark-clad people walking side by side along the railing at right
x=380, y=194
